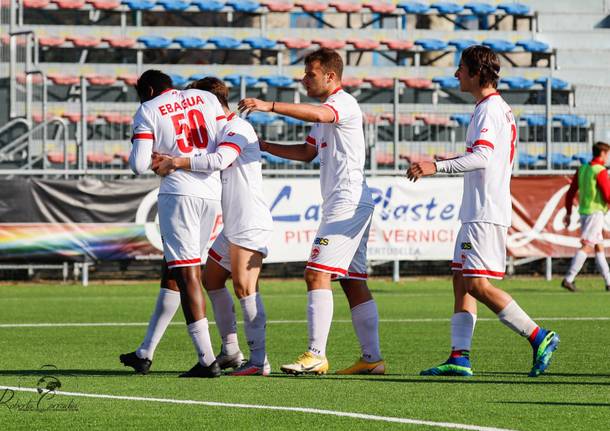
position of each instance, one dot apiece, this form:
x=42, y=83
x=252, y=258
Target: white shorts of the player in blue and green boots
x=480, y=250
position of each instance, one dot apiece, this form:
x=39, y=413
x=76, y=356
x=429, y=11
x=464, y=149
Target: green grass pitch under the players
x=414, y=328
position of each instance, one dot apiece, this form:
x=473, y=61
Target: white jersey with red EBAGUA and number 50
x=179, y=123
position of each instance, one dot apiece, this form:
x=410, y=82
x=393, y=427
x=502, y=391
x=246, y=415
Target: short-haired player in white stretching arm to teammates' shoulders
x=339, y=249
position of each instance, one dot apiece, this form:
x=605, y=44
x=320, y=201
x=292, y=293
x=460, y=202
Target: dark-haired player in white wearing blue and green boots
x=480, y=249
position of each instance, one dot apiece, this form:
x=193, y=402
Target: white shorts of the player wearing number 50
x=186, y=224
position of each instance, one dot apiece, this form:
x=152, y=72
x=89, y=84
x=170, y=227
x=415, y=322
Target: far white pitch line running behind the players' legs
x=279, y=322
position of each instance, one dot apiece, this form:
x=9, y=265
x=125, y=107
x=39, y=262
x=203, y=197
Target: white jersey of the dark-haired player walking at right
x=492, y=135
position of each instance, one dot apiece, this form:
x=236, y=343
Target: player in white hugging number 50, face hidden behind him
x=240, y=248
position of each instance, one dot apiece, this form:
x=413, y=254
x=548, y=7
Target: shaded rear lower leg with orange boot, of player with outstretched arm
x=365, y=320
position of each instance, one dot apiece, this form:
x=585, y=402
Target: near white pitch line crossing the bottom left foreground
x=276, y=408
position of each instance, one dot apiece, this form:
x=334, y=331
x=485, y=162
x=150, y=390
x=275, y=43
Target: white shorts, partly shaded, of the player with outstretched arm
x=341, y=243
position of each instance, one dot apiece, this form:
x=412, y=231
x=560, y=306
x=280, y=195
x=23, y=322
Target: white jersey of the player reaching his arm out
x=342, y=151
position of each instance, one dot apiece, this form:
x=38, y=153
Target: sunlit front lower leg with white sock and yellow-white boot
x=319, y=318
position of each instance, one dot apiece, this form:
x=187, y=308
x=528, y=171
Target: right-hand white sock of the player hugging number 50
x=255, y=322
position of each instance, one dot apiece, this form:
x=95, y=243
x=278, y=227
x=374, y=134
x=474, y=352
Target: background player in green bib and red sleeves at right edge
x=593, y=187
